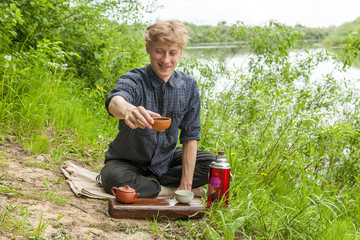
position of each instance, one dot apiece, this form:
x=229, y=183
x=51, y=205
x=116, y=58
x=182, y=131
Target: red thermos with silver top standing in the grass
x=219, y=179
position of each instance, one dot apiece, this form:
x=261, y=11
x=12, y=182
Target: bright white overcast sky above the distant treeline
x=309, y=13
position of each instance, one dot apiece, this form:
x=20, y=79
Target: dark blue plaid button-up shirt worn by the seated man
x=177, y=99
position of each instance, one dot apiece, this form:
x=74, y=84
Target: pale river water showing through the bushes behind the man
x=348, y=80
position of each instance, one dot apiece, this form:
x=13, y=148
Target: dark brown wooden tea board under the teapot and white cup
x=150, y=208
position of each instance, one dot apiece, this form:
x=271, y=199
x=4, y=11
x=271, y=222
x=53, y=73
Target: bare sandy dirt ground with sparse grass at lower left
x=23, y=191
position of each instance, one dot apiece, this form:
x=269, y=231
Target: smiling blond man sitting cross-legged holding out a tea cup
x=152, y=91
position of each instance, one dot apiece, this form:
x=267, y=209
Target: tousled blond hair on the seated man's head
x=171, y=31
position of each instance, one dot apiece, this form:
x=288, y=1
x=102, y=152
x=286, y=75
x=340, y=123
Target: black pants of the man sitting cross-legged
x=117, y=173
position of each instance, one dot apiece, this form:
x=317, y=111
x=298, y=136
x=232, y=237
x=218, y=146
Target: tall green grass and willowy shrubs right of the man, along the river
x=292, y=148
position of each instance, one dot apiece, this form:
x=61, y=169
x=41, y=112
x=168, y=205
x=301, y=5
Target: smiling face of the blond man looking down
x=164, y=58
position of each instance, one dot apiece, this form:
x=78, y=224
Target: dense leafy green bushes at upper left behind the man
x=74, y=27
